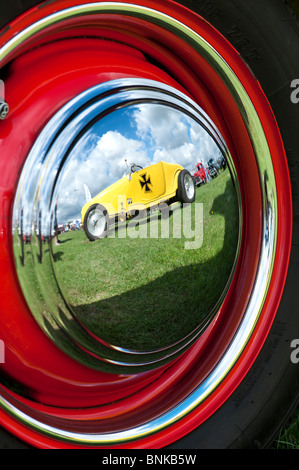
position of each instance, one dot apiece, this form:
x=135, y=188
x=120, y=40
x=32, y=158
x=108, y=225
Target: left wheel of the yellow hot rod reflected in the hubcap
x=96, y=222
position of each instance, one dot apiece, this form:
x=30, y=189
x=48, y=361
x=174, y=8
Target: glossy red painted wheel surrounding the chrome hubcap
x=57, y=73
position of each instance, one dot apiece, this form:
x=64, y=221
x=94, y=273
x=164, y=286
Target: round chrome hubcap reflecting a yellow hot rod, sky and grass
x=40, y=189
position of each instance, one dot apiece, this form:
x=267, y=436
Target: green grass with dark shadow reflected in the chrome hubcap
x=145, y=293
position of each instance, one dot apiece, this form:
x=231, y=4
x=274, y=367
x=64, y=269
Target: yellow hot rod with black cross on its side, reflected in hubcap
x=140, y=189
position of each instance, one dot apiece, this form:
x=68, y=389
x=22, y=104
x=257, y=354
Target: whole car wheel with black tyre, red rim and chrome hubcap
x=232, y=381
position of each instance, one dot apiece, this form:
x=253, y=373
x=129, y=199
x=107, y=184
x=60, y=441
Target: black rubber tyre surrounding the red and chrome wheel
x=266, y=34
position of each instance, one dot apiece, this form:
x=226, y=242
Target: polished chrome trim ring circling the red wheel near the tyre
x=268, y=191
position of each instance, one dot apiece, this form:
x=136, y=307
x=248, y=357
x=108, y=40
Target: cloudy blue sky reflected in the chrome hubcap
x=141, y=134
